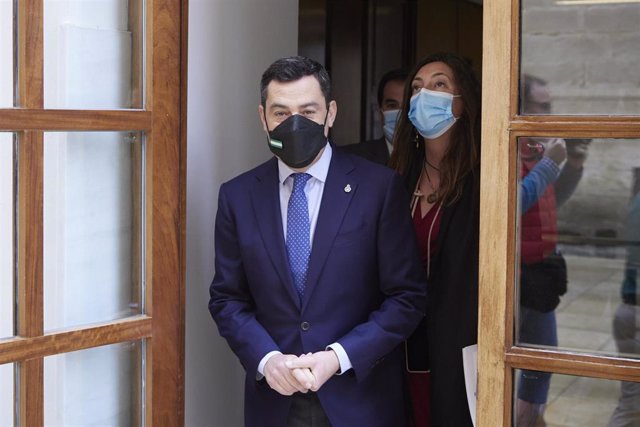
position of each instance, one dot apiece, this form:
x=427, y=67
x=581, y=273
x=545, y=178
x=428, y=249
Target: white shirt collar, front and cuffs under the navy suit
x=313, y=190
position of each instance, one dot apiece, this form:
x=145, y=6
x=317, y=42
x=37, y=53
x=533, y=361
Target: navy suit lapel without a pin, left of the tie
x=265, y=199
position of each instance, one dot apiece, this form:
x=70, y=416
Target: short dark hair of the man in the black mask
x=294, y=68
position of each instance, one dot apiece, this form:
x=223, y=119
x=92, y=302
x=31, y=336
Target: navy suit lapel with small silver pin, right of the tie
x=338, y=193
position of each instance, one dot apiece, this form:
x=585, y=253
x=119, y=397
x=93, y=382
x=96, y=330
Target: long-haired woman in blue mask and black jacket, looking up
x=437, y=151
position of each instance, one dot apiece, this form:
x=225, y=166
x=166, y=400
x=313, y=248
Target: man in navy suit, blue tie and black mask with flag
x=317, y=280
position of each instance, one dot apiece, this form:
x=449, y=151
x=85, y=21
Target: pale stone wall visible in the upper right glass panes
x=590, y=56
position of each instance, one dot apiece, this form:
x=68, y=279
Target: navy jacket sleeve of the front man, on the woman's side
x=401, y=281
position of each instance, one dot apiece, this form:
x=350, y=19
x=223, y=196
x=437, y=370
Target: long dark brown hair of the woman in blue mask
x=463, y=155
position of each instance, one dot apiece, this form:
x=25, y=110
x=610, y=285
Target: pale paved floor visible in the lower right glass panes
x=584, y=320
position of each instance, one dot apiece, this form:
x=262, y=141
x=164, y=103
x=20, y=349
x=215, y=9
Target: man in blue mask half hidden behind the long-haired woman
x=389, y=99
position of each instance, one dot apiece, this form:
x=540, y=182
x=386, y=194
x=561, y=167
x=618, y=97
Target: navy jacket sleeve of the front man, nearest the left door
x=230, y=303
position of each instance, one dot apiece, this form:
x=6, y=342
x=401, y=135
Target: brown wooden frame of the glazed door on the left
x=163, y=120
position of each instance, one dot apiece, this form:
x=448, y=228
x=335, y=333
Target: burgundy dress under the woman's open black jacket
x=418, y=382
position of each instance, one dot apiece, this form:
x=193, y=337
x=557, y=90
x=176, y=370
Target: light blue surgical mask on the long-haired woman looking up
x=430, y=112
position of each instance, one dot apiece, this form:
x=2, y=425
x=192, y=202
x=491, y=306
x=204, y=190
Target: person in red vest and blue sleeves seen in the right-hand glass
x=547, y=181
